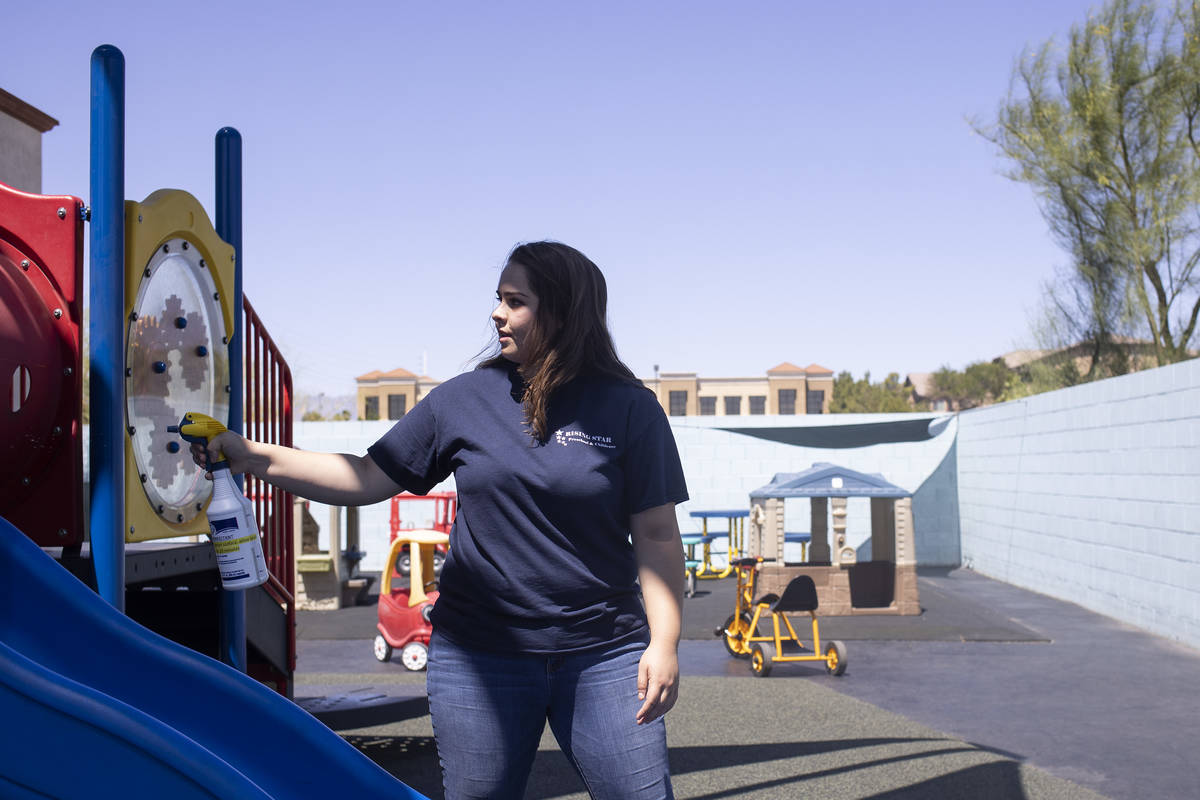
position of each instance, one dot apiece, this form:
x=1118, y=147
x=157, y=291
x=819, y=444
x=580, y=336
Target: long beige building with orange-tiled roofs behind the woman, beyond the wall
x=785, y=390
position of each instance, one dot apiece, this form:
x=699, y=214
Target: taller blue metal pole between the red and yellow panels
x=107, y=326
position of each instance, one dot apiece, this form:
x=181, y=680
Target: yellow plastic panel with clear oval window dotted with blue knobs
x=179, y=278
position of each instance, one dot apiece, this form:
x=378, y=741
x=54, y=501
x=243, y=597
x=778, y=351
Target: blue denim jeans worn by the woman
x=489, y=712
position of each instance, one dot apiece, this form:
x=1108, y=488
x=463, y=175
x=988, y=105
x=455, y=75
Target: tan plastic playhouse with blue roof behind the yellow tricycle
x=887, y=585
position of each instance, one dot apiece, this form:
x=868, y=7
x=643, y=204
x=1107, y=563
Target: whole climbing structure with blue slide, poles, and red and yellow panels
x=171, y=332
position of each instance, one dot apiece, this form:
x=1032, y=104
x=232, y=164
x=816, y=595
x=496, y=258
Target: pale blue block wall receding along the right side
x=1093, y=495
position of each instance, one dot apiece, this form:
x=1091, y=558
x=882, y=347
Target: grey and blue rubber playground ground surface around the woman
x=992, y=693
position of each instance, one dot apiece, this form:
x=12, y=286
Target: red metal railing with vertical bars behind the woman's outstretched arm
x=268, y=416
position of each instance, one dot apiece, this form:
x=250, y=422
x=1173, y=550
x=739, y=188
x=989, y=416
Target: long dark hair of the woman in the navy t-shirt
x=571, y=336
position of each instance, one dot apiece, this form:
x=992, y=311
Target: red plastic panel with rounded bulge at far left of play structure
x=41, y=378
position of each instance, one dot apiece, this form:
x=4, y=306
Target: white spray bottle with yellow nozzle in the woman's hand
x=235, y=532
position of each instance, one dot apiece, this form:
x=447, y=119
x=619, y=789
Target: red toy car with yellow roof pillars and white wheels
x=405, y=610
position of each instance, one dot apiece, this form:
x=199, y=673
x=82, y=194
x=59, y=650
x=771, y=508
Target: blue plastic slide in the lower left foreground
x=95, y=706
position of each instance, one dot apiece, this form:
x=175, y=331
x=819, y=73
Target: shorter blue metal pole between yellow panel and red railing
x=229, y=213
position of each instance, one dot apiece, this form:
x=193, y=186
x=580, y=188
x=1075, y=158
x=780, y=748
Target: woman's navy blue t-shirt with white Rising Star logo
x=541, y=560
